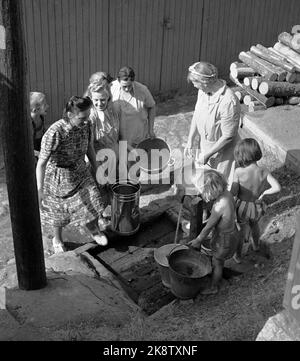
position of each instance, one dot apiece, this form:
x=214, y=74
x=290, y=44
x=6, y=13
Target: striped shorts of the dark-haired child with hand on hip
x=249, y=211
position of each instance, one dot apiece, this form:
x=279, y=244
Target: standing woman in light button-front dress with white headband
x=216, y=120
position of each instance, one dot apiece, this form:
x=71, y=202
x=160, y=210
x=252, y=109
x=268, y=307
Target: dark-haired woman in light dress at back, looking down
x=137, y=111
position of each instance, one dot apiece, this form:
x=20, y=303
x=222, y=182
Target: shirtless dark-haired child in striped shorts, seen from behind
x=250, y=184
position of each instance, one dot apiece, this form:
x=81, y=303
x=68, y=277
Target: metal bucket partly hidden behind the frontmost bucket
x=161, y=256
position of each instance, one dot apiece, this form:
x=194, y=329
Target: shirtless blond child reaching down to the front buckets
x=225, y=235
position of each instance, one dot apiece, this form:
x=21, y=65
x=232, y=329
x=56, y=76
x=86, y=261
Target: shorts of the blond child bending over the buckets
x=224, y=245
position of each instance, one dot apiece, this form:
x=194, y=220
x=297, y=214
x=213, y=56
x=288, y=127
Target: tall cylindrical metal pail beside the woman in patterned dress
x=125, y=209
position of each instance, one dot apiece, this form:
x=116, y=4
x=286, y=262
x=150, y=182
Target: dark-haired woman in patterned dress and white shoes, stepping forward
x=66, y=188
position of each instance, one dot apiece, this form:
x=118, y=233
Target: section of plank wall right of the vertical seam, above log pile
x=230, y=26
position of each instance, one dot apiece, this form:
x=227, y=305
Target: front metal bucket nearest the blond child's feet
x=187, y=270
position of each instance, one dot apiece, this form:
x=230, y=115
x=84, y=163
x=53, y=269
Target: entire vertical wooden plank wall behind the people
x=68, y=40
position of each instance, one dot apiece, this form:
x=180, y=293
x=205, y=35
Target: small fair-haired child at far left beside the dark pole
x=38, y=110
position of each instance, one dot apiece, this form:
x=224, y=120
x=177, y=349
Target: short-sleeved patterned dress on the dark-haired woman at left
x=71, y=194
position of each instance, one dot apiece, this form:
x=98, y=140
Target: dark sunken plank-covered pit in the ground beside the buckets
x=139, y=273
